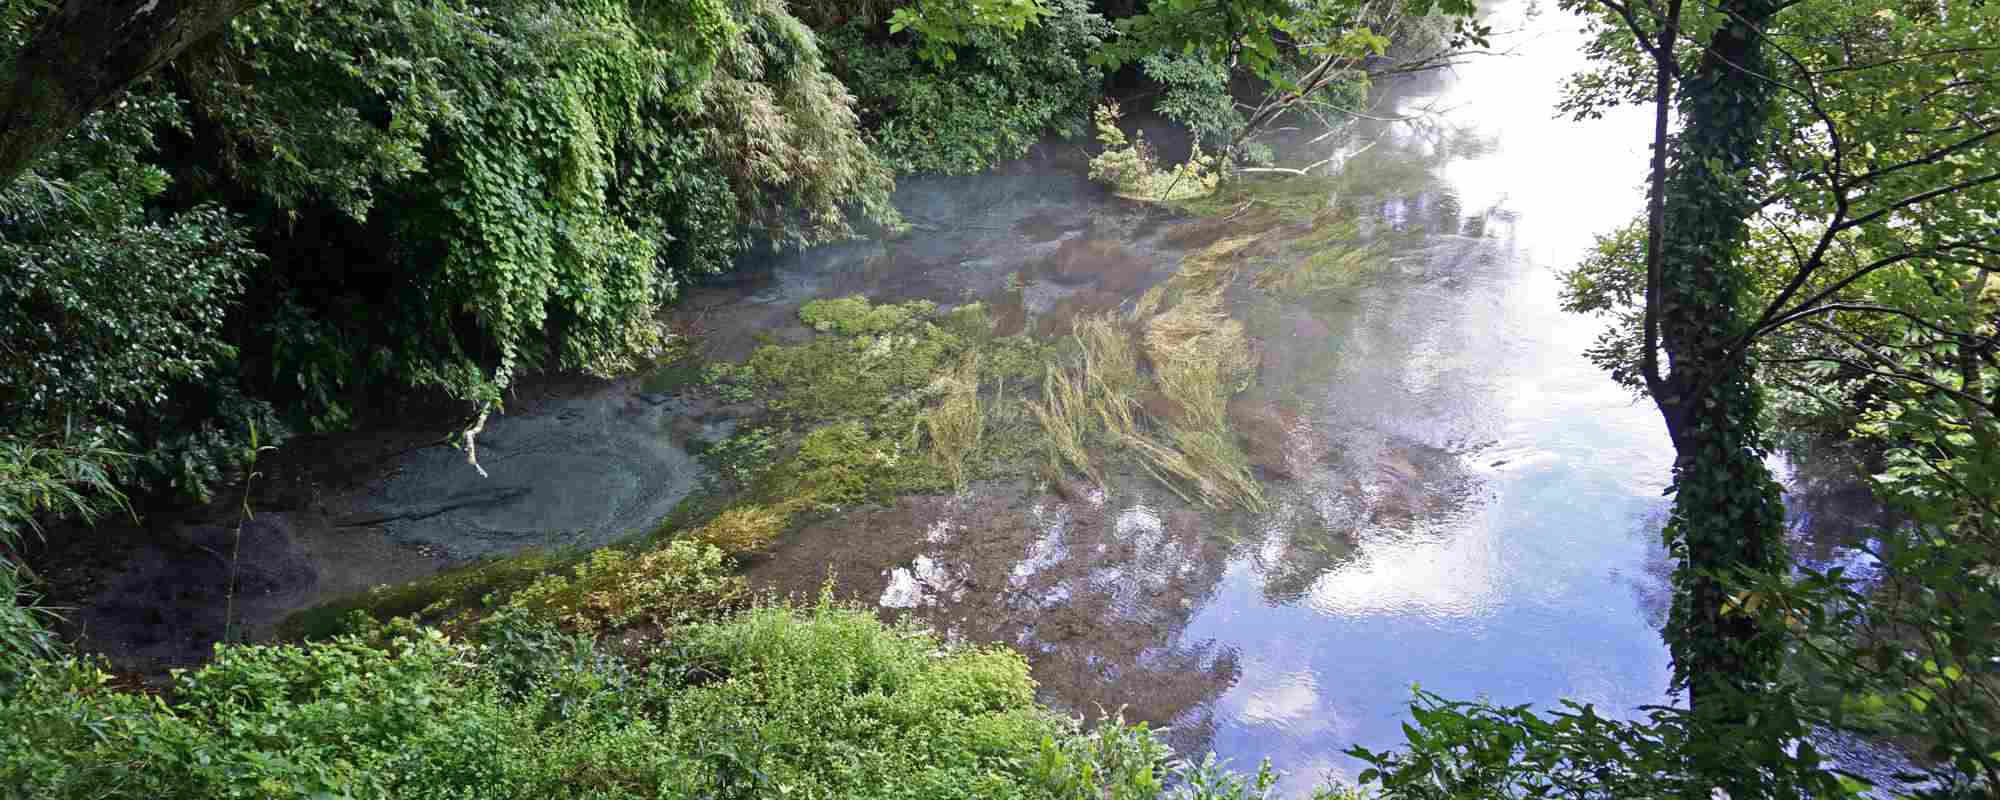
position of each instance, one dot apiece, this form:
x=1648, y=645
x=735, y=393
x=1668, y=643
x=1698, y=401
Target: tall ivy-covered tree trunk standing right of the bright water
x=1727, y=507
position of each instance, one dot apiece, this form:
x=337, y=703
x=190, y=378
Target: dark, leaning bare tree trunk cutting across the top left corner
x=85, y=57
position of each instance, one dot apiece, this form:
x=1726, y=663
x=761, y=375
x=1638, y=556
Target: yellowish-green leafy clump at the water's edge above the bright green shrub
x=613, y=589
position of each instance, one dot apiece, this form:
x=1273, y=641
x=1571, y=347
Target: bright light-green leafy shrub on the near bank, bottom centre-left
x=841, y=707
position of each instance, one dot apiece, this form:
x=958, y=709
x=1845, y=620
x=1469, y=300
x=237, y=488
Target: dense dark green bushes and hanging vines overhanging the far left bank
x=343, y=201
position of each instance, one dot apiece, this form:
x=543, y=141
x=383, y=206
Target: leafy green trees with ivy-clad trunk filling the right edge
x=1823, y=271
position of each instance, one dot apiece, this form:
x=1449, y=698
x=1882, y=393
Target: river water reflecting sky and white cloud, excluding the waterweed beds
x=1457, y=497
